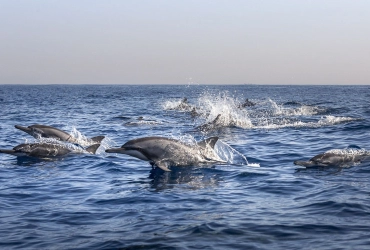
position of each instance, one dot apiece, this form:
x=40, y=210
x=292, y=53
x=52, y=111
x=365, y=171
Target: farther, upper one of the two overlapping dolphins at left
x=38, y=130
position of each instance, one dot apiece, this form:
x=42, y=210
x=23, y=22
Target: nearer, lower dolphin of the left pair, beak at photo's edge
x=42, y=150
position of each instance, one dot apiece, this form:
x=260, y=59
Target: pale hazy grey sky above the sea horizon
x=187, y=41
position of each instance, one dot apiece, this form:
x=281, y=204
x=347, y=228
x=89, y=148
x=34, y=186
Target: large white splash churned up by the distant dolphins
x=216, y=111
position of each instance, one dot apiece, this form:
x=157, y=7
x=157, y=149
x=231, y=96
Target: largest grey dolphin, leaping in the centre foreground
x=163, y=152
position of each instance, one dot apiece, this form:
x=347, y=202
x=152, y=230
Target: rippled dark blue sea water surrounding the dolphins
x=262, y=201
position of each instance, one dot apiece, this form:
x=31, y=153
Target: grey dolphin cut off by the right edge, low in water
x=333, y=159
